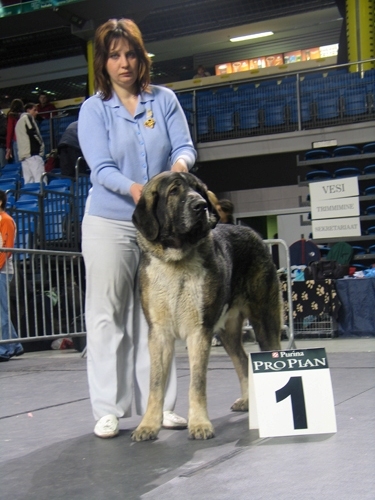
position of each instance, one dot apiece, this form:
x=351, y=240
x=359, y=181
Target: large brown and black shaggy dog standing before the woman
x=195, y=280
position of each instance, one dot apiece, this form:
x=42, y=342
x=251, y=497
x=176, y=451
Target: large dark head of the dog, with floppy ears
x=175, y=210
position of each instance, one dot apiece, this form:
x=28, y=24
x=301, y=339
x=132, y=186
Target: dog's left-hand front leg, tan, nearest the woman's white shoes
x=161, y=351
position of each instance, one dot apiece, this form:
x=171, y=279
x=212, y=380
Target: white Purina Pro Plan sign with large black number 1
x=291, y=393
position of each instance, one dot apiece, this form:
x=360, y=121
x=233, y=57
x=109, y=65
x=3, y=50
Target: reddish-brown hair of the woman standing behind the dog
x=114, y=29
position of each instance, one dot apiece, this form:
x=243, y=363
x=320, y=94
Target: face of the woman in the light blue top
x=122, y=64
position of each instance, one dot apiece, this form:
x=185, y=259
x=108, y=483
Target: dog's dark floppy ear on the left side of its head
x=144, y=215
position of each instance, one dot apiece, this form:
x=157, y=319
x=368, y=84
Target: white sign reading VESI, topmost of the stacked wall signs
x=335, y=188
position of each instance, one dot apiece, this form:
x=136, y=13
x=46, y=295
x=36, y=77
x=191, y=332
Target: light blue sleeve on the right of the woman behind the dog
x=179, y=133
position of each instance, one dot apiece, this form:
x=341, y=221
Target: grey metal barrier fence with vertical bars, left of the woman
x=46, y=296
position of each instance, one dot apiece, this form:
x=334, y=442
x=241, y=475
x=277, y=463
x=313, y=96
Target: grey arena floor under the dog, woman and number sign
x=48, y=450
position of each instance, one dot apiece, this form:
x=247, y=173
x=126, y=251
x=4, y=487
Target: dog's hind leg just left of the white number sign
x=232, y=342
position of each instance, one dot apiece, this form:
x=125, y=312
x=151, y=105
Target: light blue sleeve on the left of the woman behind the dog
x=93, y=135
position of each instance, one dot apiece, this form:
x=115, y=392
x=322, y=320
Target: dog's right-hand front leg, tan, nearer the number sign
x=199, y=425
